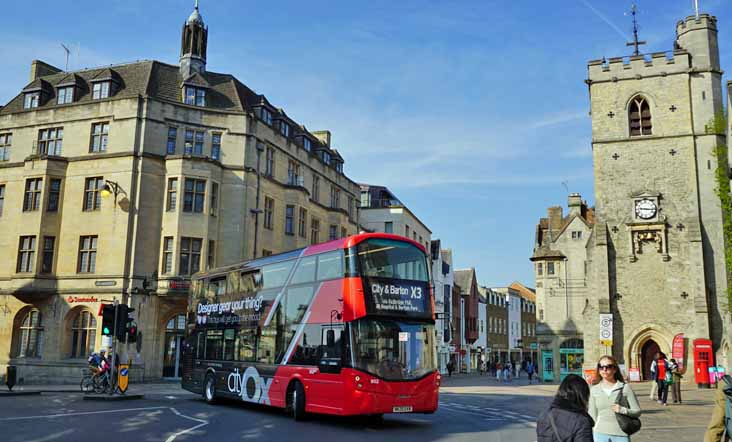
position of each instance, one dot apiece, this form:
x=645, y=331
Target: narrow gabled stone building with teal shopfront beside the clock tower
x=560, y=267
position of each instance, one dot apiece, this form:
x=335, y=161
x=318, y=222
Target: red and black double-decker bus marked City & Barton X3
x=344, y=327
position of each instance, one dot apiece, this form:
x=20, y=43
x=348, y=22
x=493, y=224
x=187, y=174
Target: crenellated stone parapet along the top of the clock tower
x=657, y=64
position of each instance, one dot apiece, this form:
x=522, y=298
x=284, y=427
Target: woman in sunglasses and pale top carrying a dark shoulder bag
x=606, y=396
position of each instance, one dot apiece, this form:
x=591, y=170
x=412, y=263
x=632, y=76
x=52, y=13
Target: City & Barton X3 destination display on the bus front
x=397, y=297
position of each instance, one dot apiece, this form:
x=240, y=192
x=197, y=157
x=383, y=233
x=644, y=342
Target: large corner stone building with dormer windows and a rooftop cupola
x=200, y=171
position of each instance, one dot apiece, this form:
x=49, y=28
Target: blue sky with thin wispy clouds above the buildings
x=474, y=112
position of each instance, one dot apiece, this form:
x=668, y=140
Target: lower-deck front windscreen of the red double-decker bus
x=393, y=350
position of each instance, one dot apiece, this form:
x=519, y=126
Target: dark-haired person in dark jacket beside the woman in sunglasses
x=567, y=419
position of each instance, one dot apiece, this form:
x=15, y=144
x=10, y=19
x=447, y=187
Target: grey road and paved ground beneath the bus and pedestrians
x=472, y=408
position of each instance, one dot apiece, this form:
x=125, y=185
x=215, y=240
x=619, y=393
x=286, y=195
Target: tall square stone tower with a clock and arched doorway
x=656, y=252
